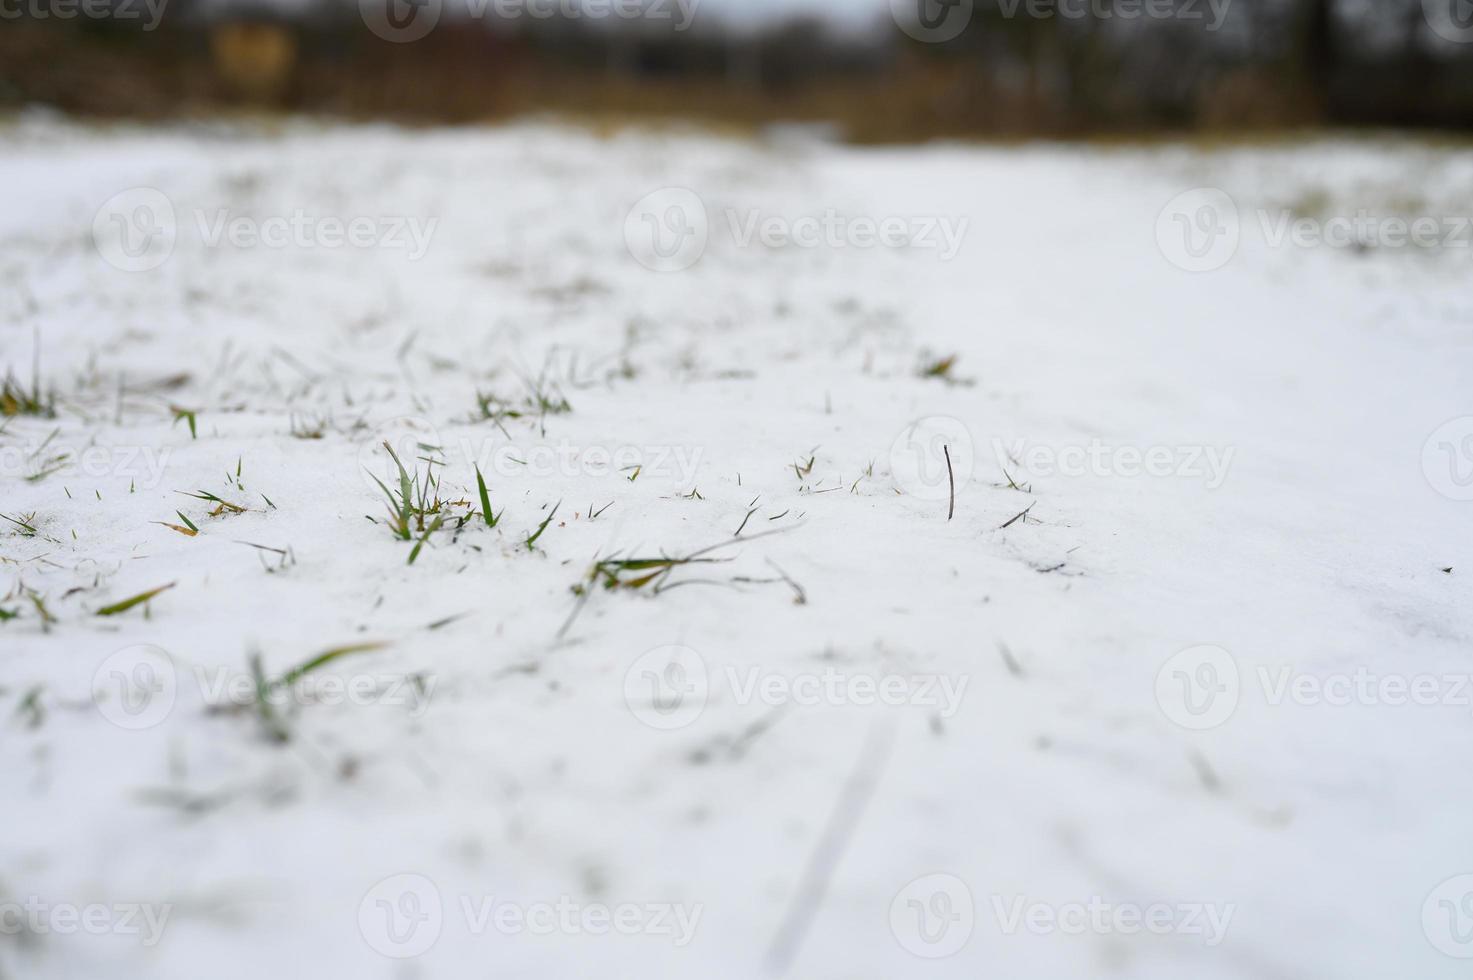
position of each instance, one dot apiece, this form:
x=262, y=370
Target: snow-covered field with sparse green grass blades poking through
x=1179, y=690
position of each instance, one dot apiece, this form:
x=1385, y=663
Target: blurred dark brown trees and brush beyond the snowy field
x=1275, y=64
